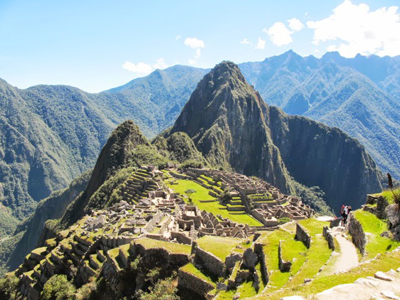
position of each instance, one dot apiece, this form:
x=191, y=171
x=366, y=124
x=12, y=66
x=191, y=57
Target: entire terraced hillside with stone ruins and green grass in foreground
x=191, y=231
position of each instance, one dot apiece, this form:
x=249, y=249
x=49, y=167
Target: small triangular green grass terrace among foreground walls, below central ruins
x=221, y=247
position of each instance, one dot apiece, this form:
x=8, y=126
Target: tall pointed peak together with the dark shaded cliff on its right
x=233, y=127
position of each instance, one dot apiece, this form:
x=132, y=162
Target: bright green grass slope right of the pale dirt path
x=375, y=243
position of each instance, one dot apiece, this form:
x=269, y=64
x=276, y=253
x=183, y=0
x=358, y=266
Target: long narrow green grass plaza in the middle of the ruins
x=213, y=207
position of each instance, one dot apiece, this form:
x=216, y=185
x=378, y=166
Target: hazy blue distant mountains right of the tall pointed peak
x=358, y=95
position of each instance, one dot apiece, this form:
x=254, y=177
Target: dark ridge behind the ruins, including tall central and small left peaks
x=225, y=124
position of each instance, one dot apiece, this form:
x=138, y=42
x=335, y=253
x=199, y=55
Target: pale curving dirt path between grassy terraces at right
x=348, y=253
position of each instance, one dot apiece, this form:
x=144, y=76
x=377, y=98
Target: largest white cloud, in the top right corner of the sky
x=355, y=29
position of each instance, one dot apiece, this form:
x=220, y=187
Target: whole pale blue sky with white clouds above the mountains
x=97, y=45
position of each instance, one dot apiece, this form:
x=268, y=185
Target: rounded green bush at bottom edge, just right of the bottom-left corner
x=58, y=288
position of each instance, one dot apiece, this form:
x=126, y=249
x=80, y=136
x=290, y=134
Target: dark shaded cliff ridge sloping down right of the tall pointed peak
x=318, y=155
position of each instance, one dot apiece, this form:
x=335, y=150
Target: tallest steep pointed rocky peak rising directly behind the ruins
x=225, y=117
